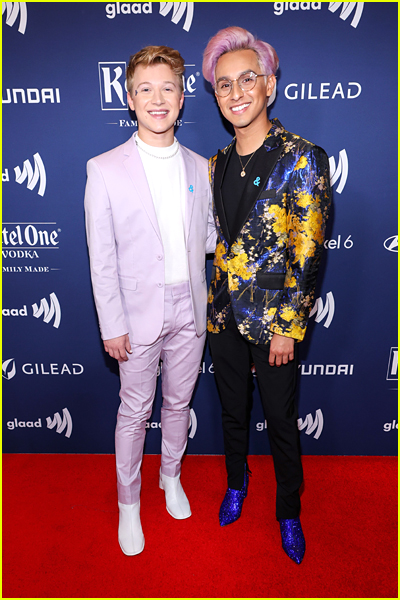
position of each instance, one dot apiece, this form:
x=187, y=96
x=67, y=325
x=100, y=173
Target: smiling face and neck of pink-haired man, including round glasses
x=242, y=93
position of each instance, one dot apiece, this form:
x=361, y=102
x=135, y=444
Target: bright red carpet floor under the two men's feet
x=60, y=519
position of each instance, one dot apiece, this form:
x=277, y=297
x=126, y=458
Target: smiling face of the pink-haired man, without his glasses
x=245, y=110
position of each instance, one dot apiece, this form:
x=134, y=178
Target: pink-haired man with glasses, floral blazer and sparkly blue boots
x=271, y=201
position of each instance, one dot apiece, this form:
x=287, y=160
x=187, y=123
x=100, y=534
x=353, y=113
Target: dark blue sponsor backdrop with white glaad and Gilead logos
x=64, y=101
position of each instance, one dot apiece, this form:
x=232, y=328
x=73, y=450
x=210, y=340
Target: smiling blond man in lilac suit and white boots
x=149, y=226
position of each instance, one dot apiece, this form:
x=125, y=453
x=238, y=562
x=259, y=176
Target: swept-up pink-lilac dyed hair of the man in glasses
x=237, y=38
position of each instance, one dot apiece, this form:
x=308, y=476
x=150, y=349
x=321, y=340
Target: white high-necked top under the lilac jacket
x=165, y=177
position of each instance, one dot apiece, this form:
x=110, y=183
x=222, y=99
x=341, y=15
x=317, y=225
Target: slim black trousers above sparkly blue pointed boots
x=232, y=356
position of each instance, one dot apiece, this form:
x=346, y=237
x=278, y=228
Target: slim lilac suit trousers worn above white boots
x=181, y=350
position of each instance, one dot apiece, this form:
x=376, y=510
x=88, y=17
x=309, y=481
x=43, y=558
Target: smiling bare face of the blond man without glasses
x=156, y=99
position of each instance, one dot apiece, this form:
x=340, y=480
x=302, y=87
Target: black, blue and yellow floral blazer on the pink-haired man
x=265, y=271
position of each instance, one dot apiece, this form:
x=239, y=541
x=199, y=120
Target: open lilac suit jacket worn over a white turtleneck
x=125, y=246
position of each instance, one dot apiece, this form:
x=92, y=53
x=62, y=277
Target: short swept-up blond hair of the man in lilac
x=155, y=55
